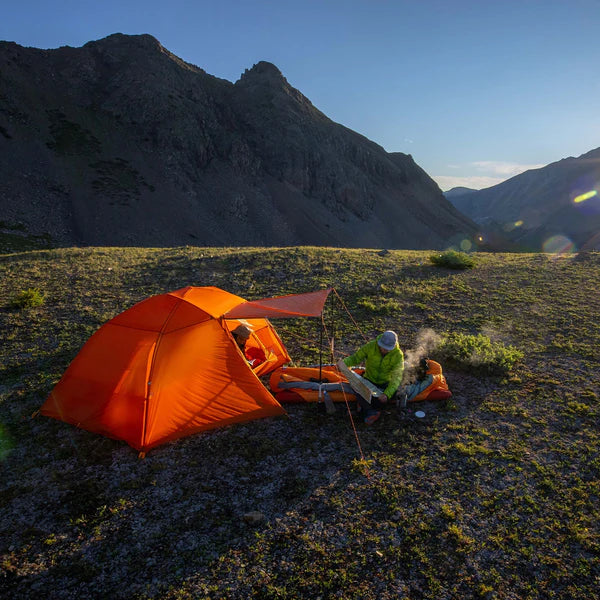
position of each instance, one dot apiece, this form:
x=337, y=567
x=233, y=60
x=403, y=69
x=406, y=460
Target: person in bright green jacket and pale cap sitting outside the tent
x=384, y=367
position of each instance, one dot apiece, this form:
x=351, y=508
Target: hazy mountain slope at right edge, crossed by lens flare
x=541, y=208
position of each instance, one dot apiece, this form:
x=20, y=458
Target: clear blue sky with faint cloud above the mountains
x=475, y=91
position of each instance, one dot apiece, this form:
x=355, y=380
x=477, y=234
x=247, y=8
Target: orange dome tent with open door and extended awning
x=169, y=366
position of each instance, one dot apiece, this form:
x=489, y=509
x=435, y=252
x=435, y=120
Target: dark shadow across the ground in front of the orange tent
x=97, y=511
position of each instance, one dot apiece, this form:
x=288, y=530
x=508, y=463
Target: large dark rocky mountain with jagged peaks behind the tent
x=120, y=142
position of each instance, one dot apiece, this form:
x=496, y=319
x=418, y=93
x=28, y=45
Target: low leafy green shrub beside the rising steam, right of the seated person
x=478, y=353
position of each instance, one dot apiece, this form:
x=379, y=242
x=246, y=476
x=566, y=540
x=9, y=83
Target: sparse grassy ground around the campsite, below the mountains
x=493, y=495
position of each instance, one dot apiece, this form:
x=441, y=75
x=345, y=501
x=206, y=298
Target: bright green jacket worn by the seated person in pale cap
x=384, y=371
